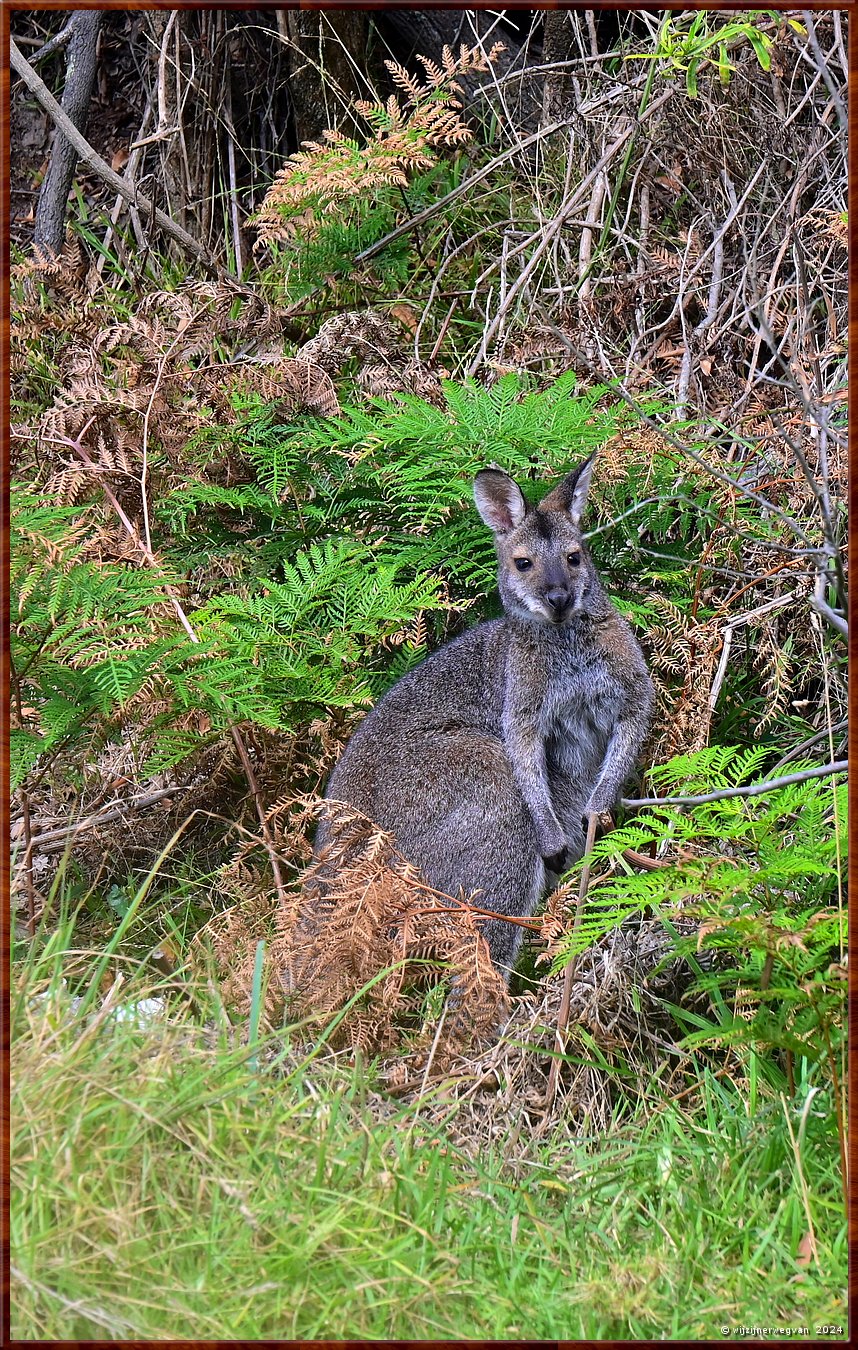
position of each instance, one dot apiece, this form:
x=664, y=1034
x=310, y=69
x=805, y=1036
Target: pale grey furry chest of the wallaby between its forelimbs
x=578, y=722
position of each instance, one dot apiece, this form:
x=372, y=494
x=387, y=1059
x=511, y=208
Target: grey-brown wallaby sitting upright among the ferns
x=485, y=761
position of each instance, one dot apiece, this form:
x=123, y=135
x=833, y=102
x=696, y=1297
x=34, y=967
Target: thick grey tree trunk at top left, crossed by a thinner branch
x=82, y=59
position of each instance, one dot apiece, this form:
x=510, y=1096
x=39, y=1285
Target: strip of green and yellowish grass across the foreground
x=164, y=1187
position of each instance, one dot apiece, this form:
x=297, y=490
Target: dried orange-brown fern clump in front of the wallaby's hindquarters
x=361, y=942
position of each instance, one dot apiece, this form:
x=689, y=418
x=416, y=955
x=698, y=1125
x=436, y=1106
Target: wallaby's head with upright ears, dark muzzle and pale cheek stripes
x=544, y=569
